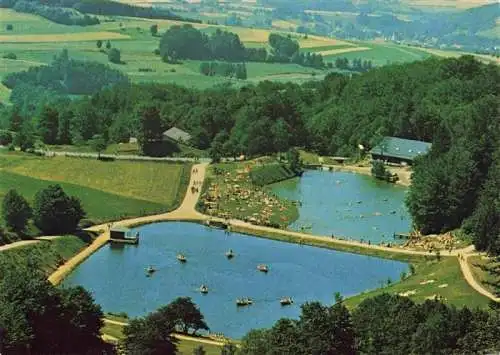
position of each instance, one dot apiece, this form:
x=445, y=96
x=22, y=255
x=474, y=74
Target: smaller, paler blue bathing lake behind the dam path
x=348, y=205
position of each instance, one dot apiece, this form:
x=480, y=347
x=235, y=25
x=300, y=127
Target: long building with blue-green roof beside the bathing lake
x=398, y=150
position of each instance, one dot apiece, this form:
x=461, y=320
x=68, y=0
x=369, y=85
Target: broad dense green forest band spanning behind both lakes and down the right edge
x=449, y=102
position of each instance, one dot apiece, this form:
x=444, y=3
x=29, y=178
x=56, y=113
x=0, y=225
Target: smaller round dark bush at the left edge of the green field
x=15, y=211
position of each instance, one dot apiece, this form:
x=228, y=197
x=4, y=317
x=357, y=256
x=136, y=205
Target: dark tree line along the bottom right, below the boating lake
x=383, y=324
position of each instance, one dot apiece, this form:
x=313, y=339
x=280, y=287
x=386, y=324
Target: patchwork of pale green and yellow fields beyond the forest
x=35, y=40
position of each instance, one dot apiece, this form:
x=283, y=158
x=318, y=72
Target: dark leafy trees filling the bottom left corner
x=37, y=318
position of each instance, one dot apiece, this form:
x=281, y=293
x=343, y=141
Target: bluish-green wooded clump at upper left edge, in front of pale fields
x=68, y=76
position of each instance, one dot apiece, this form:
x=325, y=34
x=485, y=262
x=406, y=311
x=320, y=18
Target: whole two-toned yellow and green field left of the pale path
x=108, y=190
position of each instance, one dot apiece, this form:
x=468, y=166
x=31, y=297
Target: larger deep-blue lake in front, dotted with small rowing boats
x=116, y=275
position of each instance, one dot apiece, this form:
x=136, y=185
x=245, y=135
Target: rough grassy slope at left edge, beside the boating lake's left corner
x=47, y=254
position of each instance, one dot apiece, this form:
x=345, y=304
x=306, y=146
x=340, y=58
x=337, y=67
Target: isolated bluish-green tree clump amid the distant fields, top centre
x=187, y=42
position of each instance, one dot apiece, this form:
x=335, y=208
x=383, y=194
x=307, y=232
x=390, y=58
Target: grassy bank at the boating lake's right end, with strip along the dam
x=445, y=271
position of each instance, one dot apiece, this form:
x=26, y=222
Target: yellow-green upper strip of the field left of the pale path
x=149, y=181
